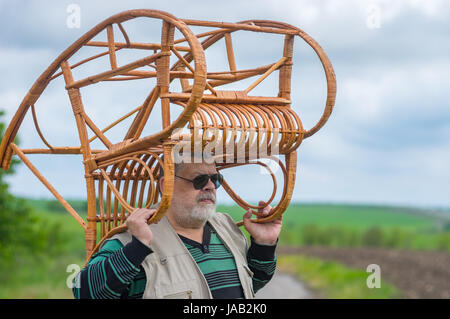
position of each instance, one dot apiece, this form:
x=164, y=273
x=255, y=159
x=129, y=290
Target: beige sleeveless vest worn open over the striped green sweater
x=171, y=270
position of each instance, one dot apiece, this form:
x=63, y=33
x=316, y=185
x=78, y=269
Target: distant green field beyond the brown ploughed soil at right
x=357, y=225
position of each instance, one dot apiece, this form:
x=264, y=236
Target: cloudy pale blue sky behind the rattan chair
x=386, y=142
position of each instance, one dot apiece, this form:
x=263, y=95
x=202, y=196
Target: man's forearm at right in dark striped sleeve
x=262, y=261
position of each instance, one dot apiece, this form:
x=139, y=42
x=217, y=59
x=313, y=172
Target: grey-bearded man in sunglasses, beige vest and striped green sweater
x=193, y=252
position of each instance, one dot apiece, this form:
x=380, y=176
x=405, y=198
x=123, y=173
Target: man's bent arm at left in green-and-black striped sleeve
x=111, y=271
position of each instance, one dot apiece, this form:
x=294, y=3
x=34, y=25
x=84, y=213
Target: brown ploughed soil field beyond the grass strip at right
x=417, y=274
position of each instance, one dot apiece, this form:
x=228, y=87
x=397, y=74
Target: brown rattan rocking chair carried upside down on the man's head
x=236, y=127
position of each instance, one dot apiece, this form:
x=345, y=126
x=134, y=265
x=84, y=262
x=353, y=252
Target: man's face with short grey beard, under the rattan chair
x=192, y=207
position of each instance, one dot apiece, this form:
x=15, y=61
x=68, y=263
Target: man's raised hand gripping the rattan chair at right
x=263, y=233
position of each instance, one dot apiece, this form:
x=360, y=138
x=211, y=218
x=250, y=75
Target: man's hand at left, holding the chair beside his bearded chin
x=138, y=227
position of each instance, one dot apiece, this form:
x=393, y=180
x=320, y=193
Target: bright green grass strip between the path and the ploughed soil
x=332, y=280
